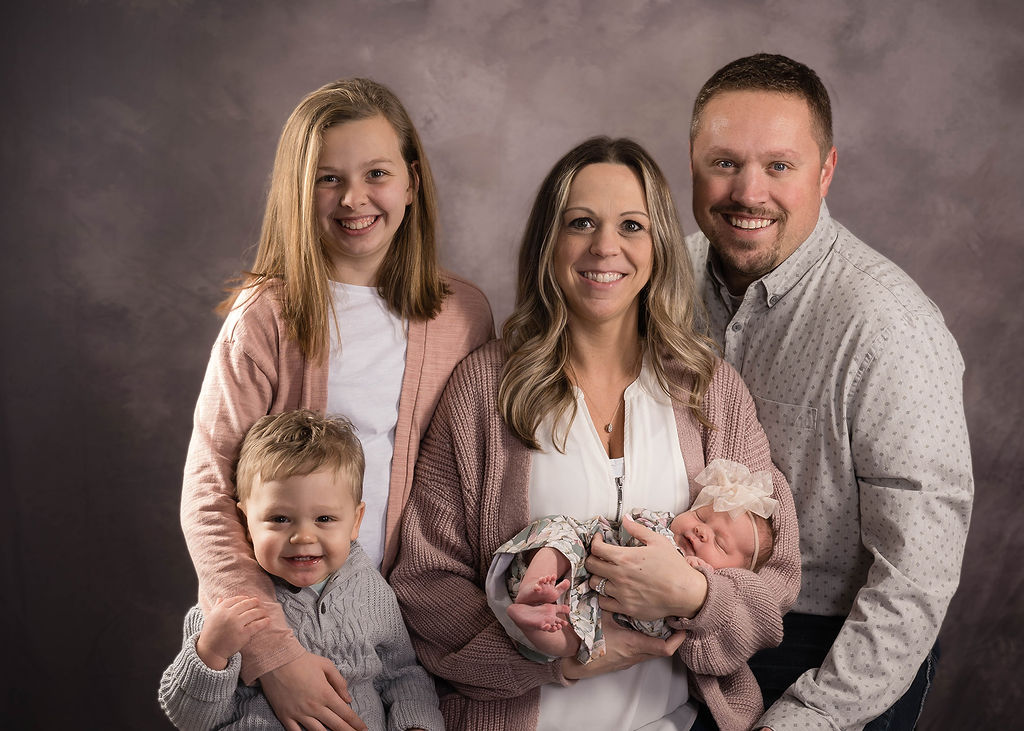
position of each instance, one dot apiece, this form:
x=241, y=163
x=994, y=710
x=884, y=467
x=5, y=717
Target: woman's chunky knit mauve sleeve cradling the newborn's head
x=744, y=611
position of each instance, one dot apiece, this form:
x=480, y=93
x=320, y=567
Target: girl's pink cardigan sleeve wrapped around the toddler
x=239, y=389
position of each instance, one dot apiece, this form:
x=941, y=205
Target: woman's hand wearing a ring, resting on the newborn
x=647, y=582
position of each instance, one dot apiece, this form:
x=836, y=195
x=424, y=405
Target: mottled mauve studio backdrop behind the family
x=138, y=138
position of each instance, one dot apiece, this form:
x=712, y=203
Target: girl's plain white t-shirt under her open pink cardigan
x=365, y=372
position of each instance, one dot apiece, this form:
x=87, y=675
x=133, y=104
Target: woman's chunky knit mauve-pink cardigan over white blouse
x=471, y=495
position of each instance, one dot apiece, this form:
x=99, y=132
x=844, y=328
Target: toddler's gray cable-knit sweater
x=355, y=623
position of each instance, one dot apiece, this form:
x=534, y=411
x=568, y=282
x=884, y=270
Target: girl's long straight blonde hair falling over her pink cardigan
x=290, y=246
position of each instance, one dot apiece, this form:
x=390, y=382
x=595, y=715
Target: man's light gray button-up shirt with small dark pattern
x=858, y=383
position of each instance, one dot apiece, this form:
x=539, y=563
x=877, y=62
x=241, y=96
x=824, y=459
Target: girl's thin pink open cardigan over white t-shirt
x=258, y=369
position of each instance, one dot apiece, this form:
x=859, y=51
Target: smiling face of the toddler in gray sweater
x=303, y=527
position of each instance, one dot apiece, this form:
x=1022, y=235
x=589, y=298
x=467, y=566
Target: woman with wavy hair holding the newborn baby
x=602, y=398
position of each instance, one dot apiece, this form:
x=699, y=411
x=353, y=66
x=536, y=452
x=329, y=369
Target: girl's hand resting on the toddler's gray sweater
x=310, y=694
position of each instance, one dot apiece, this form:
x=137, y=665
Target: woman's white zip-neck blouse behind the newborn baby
x=652, y=696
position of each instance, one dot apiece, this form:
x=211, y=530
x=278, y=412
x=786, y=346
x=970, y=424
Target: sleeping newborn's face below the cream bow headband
x=716, y=538
